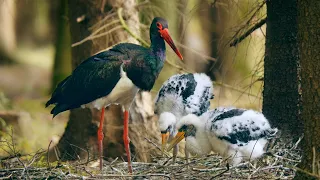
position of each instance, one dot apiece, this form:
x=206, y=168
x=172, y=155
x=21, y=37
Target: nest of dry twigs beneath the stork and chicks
x=278, y=163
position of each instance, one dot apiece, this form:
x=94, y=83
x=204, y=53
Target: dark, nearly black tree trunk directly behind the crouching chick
x=281, y=67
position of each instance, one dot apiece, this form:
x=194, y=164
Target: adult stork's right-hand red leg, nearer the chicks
x=126, y=138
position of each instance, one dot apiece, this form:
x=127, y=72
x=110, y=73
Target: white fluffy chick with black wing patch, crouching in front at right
x=235, y=134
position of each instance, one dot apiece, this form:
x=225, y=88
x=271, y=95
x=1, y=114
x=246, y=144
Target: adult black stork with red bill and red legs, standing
x=114, y=77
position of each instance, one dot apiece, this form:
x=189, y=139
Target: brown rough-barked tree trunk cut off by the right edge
x=309, y=38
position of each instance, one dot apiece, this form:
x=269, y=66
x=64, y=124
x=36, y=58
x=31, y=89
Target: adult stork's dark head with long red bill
x=159, y=29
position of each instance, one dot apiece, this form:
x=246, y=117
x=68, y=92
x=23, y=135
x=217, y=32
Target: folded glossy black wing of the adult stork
x=92, y=79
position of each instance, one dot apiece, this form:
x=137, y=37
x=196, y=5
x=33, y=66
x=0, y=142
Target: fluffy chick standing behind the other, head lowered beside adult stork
x=180, y=95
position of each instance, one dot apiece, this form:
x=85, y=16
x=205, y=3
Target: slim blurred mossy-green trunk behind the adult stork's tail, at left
x=62, y=61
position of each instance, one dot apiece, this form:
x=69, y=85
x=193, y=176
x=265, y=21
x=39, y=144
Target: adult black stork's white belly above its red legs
x=123, y=93
